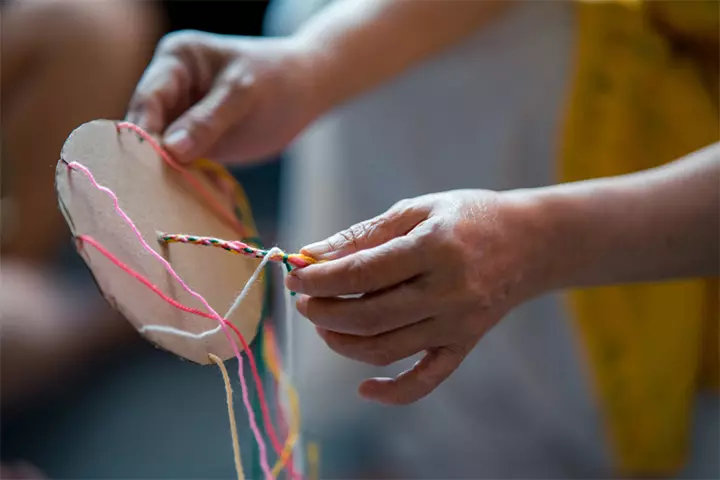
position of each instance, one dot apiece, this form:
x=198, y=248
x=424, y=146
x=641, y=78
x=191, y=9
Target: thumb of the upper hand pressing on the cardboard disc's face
x=196, y=131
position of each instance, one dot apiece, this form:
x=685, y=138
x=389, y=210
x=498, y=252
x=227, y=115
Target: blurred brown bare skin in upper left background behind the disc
x=93, y=52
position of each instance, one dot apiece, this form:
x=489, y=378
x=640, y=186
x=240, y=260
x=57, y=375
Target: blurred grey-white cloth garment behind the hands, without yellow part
x=485, y=114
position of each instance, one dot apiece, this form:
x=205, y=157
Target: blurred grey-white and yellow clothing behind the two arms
x=552, y=91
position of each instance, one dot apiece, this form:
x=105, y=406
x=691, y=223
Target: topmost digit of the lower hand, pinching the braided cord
x=396, y=222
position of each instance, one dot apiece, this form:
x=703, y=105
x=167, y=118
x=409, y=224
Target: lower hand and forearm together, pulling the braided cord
x=435, y=273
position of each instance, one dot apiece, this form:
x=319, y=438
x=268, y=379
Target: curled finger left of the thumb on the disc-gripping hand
x=162, y=90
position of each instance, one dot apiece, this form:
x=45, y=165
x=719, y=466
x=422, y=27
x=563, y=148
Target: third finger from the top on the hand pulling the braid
x=371, y=314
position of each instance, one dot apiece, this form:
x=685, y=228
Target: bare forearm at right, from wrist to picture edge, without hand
x=654, y=225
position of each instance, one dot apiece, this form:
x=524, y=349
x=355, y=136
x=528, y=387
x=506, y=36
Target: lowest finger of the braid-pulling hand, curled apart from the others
x=416, y=383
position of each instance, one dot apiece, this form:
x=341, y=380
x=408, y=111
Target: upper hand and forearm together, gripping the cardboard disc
x=242, y=99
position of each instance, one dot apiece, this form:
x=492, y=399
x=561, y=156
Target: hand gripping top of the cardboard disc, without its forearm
x=229, y=98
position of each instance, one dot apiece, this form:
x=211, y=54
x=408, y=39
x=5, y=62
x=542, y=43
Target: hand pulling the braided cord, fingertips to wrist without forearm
x=434, y=274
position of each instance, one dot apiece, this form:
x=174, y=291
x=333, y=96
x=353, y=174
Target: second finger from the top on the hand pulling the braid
x=366, y=271
